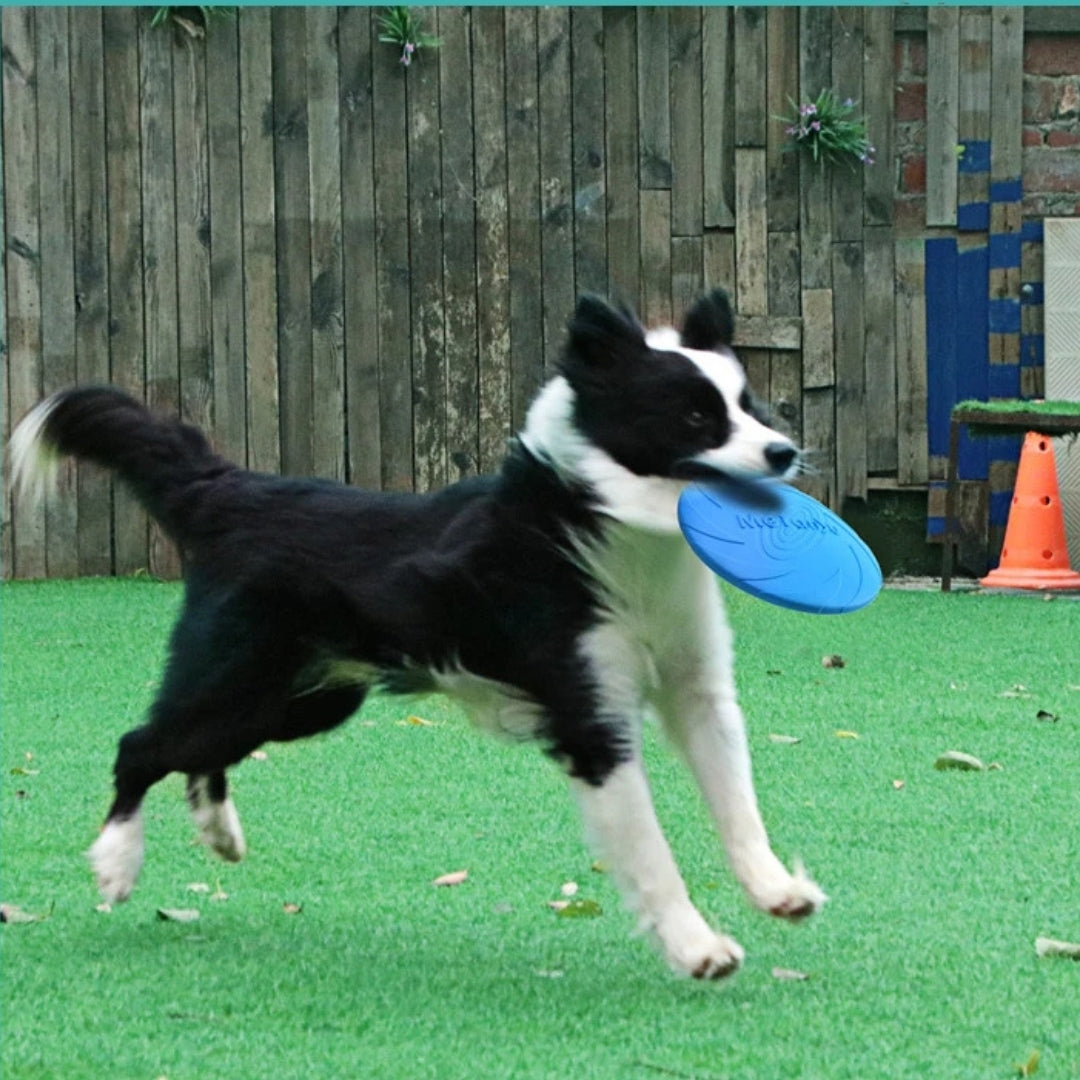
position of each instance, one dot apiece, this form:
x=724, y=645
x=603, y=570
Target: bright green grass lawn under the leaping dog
x=922, y=966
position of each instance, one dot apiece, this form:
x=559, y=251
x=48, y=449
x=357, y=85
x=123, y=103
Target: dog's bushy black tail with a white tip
x=159, y=460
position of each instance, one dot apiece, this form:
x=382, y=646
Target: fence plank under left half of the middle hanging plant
x=393, y=263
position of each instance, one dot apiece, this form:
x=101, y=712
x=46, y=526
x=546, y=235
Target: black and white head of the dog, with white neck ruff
x=664, y=408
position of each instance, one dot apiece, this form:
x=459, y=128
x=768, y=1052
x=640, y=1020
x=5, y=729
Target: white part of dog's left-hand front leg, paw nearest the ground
x=623, y=825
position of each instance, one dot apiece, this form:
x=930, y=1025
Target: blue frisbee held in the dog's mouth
x=781, y=546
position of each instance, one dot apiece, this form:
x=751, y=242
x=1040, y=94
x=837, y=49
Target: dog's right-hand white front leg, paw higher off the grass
x=707, y=723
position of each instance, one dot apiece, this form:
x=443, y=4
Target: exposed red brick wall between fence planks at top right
x=1051, y=113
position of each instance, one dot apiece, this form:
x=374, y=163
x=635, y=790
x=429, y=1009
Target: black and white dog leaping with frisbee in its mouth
x=557, y=601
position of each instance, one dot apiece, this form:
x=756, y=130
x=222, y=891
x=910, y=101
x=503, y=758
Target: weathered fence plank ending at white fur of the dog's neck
x=523, y=195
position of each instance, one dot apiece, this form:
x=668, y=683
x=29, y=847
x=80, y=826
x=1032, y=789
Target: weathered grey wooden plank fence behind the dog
x=344, y=266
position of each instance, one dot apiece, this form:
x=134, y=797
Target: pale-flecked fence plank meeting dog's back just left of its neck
x=493, y=240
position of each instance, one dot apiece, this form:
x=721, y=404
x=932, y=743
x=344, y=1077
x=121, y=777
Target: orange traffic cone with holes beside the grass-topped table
x=1034, y=556
